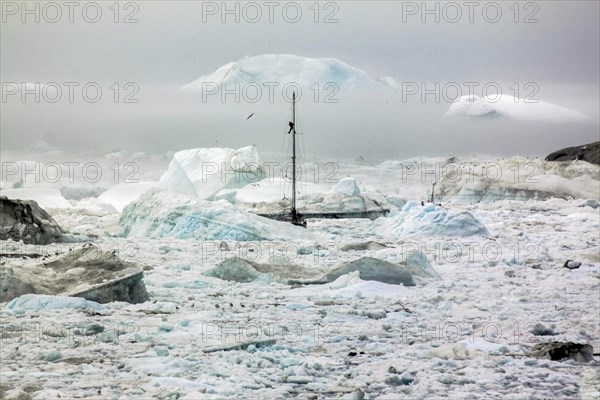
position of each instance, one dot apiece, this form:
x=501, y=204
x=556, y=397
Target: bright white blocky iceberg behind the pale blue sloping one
x=204, y=172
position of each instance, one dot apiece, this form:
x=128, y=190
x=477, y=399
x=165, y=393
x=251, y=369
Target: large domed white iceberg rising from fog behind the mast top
x=284, y=69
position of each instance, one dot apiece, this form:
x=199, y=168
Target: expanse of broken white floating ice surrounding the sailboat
x=486, y=259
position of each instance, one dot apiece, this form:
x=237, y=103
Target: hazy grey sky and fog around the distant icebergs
x=151, y=49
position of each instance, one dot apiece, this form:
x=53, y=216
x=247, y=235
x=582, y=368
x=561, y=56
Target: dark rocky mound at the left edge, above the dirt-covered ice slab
x=26, y=220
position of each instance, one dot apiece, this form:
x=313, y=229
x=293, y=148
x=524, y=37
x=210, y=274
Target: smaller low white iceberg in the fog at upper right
x=507, y=106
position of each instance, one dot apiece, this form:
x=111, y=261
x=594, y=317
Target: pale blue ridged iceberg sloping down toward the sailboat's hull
x=164, y=213
